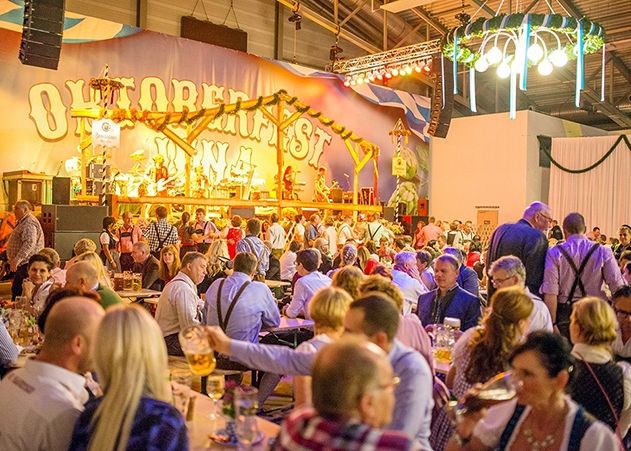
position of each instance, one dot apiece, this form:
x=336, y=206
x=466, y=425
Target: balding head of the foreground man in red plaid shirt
x=344, y=372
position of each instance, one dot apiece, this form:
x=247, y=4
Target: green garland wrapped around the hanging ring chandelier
x=593, y=33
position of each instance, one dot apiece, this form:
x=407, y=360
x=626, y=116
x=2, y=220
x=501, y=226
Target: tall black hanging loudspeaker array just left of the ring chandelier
x=440, y=117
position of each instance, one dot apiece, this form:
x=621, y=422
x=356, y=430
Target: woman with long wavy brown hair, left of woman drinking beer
x=483, y=351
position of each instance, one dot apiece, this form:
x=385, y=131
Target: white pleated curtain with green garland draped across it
x=601, y=195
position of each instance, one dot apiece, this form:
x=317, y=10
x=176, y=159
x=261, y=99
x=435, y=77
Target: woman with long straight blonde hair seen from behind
x=134, y=412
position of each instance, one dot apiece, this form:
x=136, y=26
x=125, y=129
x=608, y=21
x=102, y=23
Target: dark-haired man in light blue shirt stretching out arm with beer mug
x=375, y=317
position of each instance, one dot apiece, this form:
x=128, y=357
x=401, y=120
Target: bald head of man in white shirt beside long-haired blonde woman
x=70, y=330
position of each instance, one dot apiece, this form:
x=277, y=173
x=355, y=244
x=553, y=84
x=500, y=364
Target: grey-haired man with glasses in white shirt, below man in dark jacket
x=509, y=271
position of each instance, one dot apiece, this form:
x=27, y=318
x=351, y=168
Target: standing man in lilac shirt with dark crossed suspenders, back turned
x=574, y=269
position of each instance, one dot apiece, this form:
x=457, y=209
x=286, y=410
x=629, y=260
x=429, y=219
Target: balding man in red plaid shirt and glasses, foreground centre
x=353, y=396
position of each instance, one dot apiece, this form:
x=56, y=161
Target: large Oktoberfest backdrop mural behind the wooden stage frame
x=165, y=73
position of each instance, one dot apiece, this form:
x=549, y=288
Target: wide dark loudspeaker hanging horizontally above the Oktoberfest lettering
x=210, y=33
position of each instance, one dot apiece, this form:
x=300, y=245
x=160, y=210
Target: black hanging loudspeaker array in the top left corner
x=42, y=33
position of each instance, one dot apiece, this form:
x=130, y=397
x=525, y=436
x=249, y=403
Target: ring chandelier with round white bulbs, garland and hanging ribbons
x=513, y=44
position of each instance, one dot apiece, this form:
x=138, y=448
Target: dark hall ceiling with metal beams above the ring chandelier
x=363, y=22
